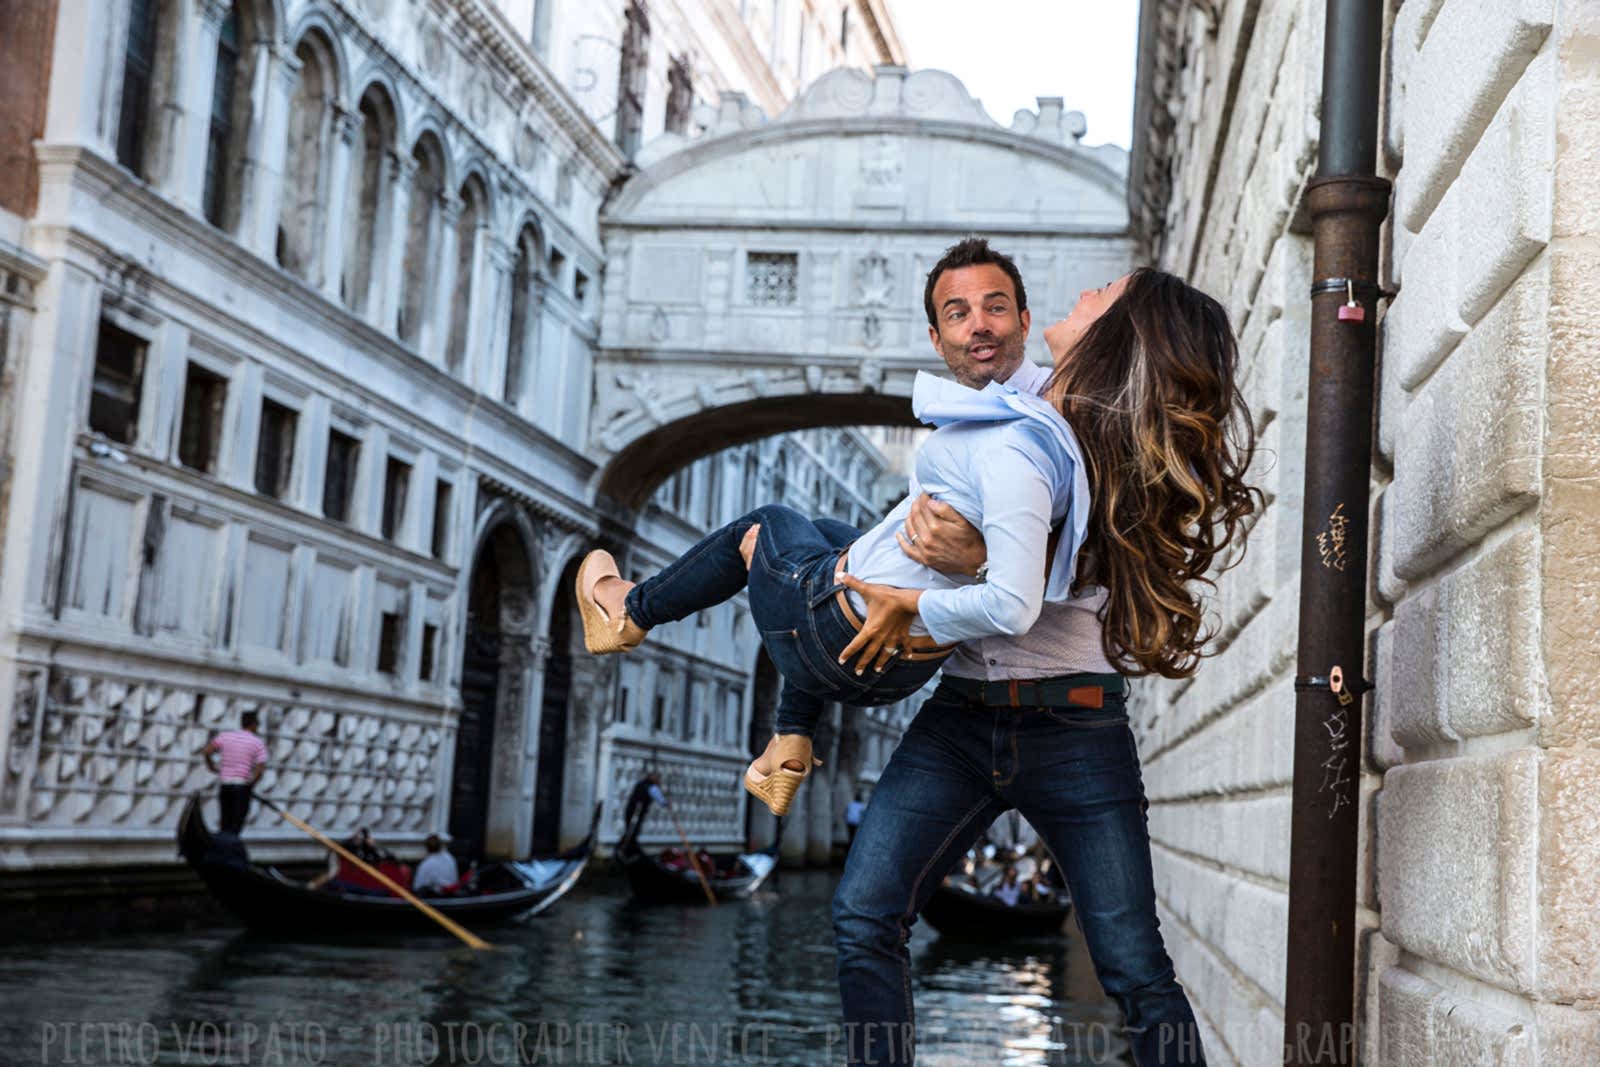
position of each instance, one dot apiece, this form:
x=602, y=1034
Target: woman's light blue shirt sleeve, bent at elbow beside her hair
x=1017, y=498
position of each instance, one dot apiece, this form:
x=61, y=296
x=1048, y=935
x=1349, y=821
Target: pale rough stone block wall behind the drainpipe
x=1481, y=837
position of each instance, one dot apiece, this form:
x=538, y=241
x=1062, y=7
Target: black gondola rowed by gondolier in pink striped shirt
x=266, y=900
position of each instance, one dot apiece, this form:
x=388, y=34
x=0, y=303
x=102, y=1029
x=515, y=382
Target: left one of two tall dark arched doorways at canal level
x=495, y=666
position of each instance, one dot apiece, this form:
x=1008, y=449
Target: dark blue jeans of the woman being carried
x=794, y=605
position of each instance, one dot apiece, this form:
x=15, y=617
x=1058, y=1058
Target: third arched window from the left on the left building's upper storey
x=305, y=166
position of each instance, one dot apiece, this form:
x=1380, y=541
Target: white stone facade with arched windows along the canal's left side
x=295, y=407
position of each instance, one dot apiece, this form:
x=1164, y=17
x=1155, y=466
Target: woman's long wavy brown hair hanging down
x=1151, y=391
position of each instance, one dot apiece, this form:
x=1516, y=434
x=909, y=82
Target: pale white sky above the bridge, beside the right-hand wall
x=1012, y=52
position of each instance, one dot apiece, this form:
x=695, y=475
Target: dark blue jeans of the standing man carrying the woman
x=1074, y=775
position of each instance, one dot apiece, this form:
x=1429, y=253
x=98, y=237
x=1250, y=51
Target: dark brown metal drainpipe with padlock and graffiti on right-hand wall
x=1348, y=204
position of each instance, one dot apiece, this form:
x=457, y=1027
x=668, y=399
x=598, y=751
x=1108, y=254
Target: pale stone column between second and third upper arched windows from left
x=262, y=177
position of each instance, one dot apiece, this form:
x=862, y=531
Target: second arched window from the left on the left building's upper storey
x=230, y=116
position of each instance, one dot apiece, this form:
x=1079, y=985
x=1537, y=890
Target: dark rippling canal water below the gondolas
x=599, y=980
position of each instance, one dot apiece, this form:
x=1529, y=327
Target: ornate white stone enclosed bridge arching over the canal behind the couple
x=767, y=276
